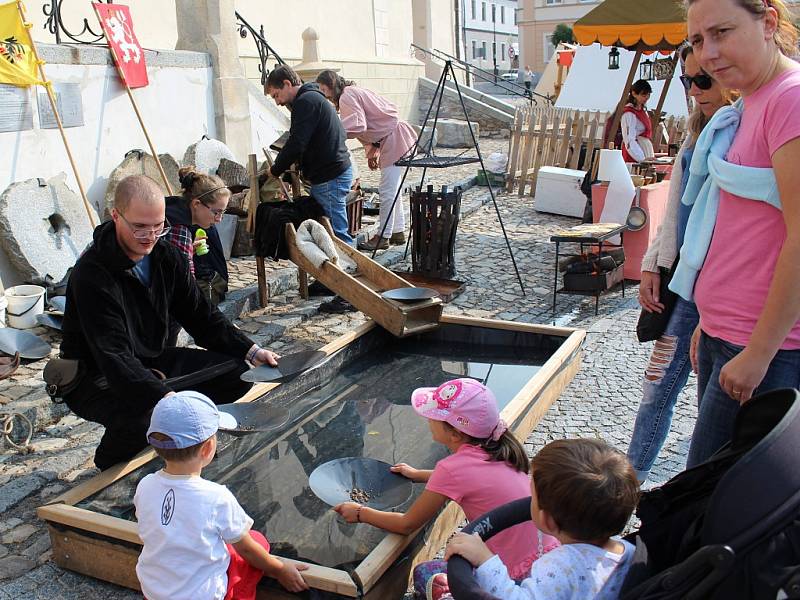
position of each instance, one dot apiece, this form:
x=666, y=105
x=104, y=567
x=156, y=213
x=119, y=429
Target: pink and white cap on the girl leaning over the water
x=464, y=403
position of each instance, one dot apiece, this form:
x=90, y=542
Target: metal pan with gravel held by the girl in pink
x=363, y=480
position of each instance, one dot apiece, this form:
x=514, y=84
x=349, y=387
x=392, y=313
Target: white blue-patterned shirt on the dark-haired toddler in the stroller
x=569, y=572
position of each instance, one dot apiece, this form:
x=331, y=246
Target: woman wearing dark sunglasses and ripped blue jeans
x=668, y=369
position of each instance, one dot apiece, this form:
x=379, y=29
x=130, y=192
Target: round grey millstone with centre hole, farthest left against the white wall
x=44, y=227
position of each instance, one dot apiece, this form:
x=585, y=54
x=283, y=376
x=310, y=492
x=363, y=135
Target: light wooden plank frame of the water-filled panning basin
x=106, y=547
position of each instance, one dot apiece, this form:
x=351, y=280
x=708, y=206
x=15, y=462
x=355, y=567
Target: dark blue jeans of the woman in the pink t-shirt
x=717, y=411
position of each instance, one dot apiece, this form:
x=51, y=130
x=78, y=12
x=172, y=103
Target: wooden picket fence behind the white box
x=556, y=137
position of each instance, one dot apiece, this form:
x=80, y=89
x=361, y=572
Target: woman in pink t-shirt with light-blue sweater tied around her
x=747, y=293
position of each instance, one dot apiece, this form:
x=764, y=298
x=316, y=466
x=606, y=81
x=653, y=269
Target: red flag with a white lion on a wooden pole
x=115, y=19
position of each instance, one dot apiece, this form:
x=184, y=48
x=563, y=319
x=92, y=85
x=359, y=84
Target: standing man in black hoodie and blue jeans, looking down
x=317, y=141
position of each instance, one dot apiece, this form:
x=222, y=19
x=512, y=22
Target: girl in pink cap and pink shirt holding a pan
x=488, y=467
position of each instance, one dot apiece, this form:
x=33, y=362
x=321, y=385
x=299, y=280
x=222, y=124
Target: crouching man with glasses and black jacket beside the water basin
x=120, y=297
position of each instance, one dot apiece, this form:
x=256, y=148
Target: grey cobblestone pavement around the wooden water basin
x=601, y=401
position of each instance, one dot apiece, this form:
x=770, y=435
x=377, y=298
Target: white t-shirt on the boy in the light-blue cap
x=185, y=522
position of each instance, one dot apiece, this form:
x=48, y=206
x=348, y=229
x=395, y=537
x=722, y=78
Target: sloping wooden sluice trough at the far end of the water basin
x=363, y=288
